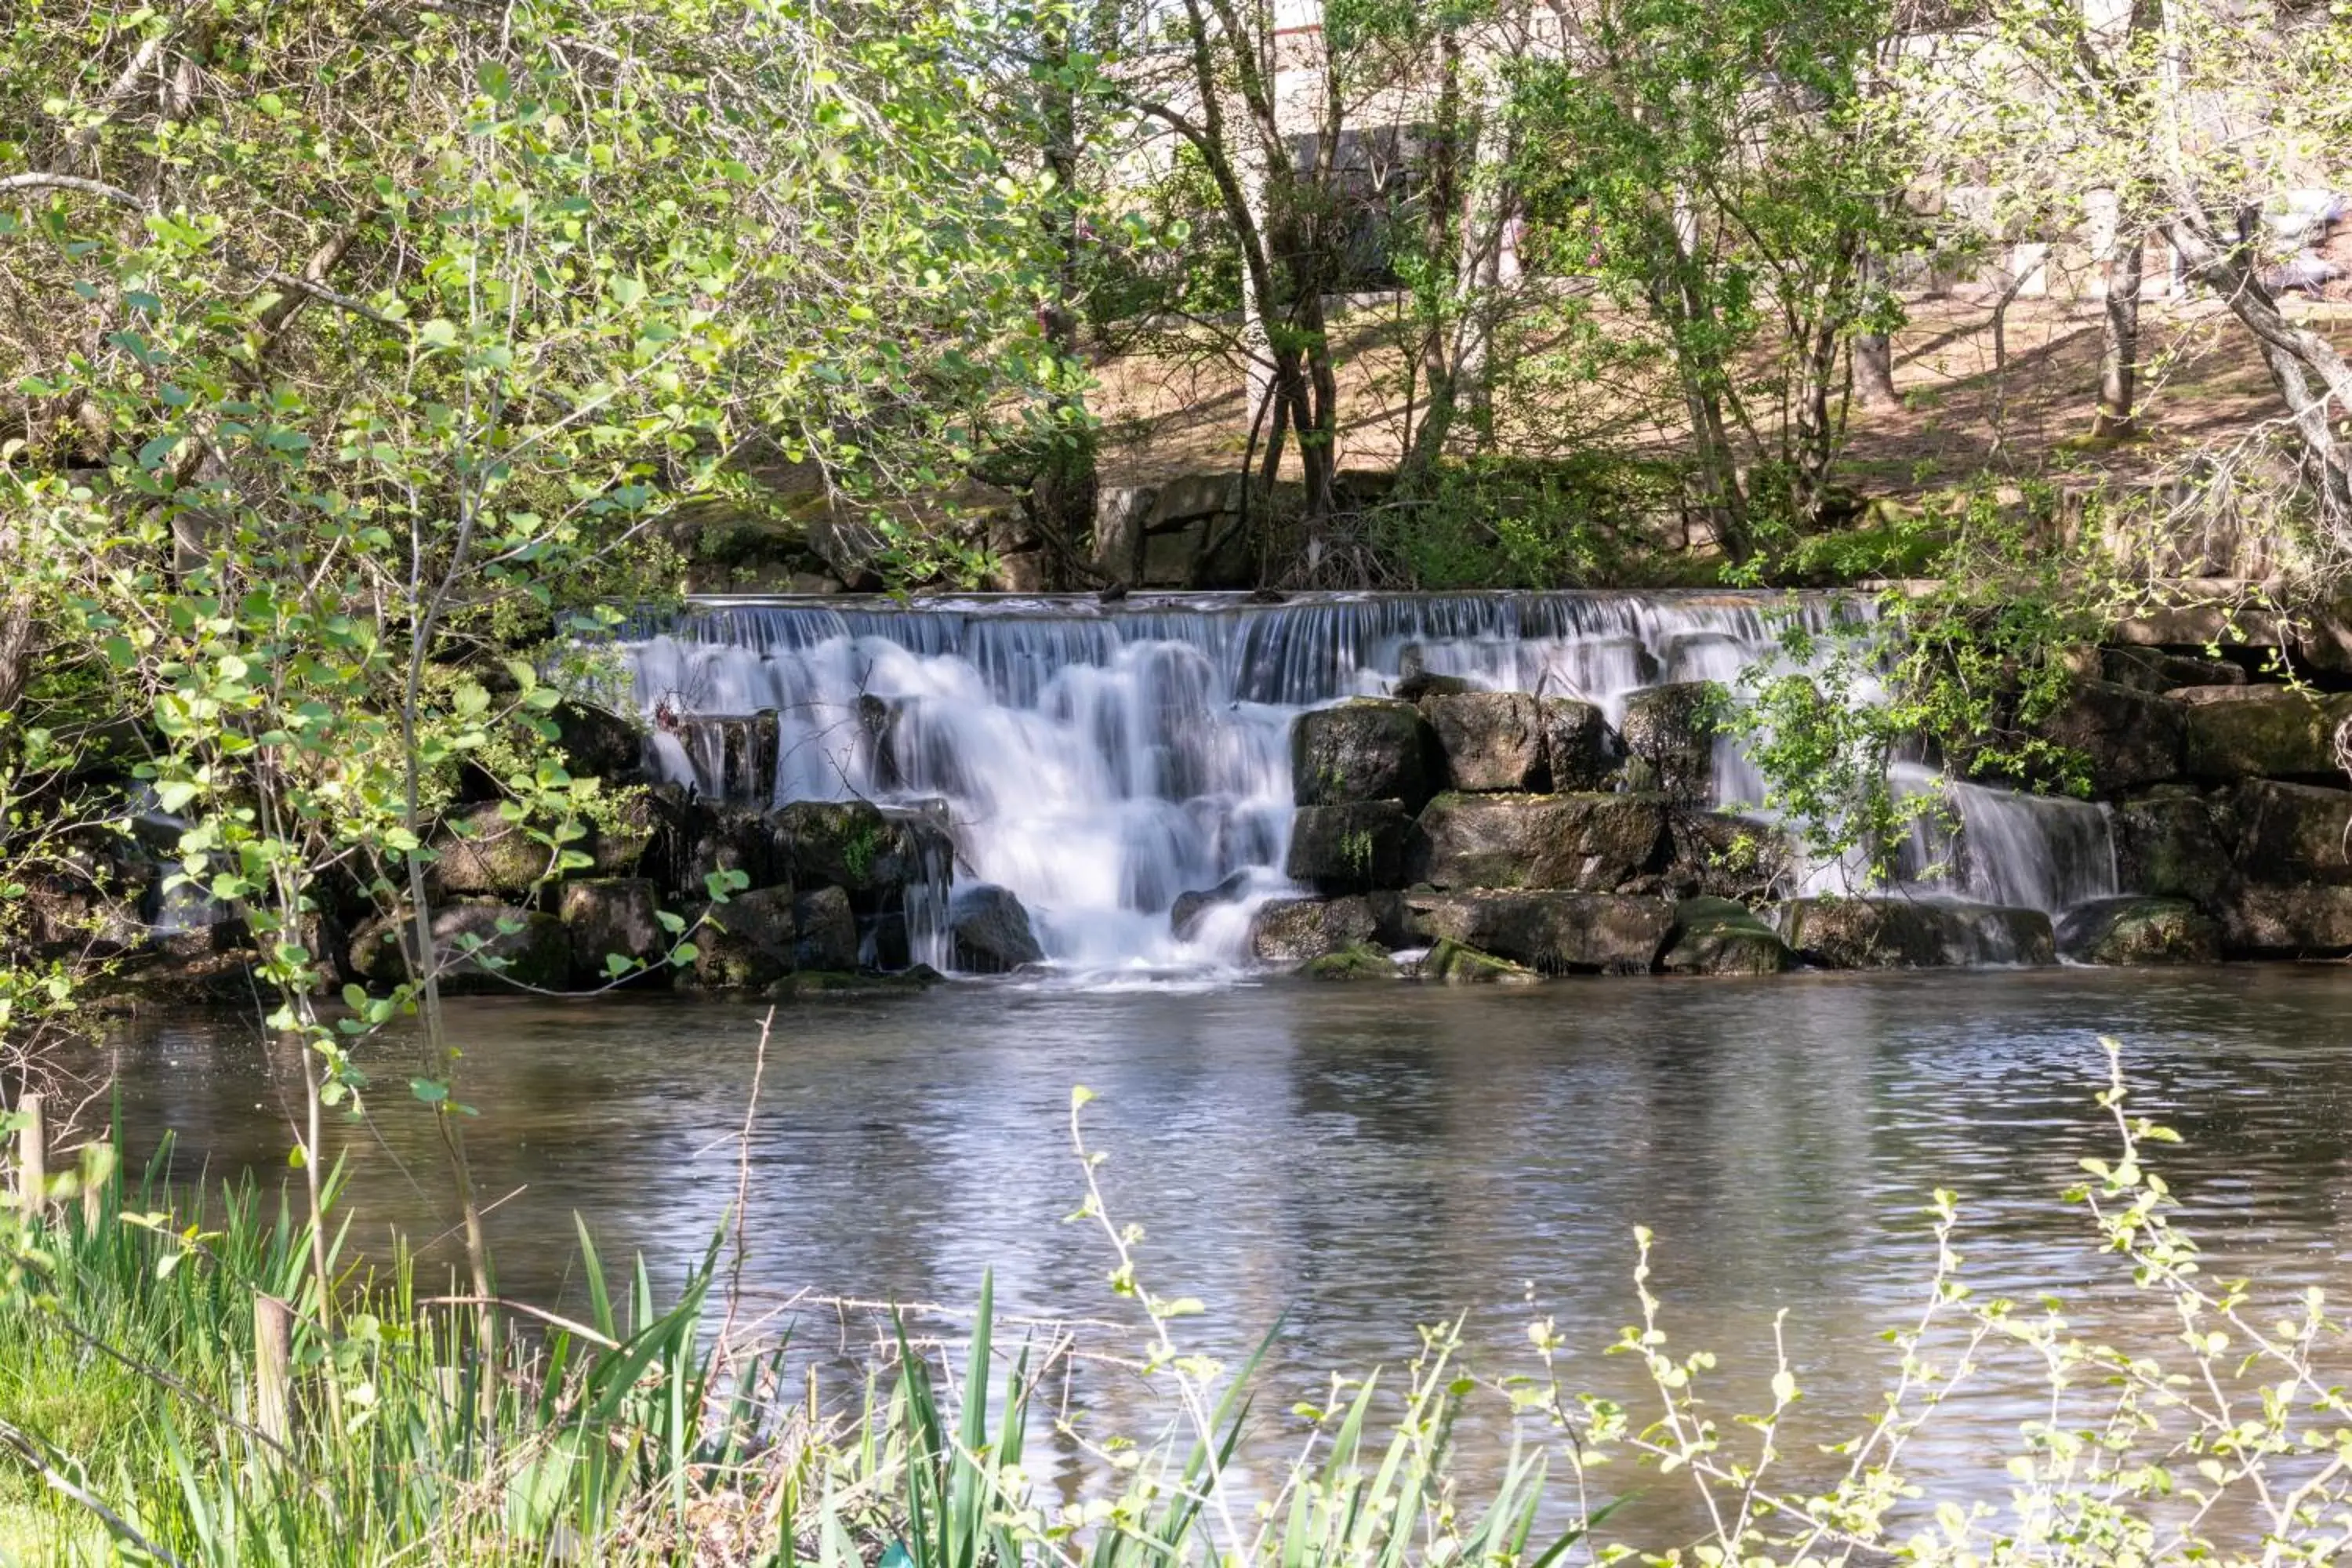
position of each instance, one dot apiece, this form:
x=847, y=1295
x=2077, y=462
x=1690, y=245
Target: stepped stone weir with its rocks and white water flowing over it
x=1457, y=786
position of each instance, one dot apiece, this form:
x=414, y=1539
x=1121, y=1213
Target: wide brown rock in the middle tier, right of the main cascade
x=1589, y=843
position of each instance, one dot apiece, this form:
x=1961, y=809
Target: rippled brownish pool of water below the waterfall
x=1342, y=1165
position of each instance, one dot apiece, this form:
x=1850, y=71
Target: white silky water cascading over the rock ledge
x=1104, y=760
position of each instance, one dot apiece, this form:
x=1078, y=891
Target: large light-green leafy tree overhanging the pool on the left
x=356, y=351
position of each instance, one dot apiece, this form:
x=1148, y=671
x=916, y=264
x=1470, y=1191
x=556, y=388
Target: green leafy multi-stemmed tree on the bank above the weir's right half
x=1730, y=170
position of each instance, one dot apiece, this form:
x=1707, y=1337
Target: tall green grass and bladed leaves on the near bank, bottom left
x=131, y=1430
